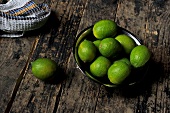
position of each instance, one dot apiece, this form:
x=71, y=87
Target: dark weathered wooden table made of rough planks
x=21, y=92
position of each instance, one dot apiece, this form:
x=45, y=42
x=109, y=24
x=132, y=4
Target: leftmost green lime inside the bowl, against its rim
x=87, y=51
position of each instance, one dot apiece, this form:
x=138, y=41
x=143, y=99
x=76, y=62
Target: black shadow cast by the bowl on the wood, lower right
x=154, y=73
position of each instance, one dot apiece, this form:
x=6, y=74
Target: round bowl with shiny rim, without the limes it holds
x=136, y=75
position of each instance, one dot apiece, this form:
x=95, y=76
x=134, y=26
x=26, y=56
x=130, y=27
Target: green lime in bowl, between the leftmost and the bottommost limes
x=100, y=66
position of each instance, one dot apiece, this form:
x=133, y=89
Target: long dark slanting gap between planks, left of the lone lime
x=23, y=72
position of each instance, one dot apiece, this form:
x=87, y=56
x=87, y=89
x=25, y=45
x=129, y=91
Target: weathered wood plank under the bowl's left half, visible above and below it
x=80, y=94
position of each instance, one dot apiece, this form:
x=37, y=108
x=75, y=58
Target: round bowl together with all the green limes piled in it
x=111, y=55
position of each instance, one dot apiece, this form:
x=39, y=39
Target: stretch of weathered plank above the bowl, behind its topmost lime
x=97, y=10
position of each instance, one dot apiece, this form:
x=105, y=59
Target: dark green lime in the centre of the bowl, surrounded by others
x=109, y=47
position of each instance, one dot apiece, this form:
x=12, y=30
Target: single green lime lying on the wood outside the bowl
x=43, y=68
